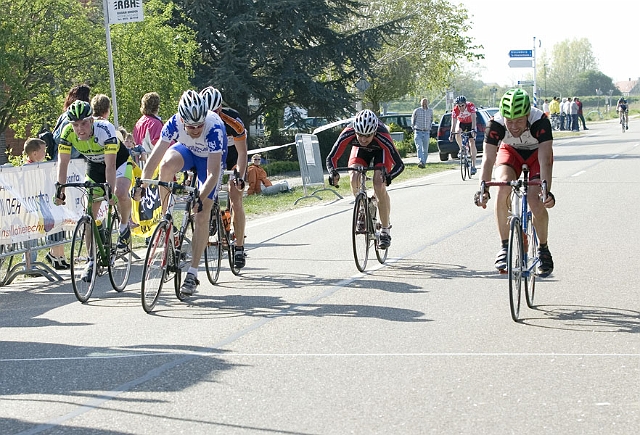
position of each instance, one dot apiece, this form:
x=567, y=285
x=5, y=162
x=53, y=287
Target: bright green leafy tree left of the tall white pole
x=39, y=61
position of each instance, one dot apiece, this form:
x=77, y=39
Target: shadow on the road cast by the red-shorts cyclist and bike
x=584, y=318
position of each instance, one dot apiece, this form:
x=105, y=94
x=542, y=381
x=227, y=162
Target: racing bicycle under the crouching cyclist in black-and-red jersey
x=365, y=226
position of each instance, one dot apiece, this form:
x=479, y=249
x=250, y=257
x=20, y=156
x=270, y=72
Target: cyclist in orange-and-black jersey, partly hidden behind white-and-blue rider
x=236, y=154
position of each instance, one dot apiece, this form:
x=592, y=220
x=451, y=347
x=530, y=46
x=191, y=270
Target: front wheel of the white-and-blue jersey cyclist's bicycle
x=155, y=265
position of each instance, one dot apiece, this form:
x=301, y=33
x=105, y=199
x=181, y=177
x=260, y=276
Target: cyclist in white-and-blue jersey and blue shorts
x=199, y=141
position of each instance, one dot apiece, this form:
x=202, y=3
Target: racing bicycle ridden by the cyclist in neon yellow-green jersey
x=96, y=243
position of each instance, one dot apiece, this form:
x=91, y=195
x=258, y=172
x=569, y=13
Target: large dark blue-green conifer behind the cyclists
x=282, y=52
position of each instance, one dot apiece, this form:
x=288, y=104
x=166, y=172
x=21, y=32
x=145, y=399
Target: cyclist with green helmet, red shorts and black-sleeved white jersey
x=519, y=134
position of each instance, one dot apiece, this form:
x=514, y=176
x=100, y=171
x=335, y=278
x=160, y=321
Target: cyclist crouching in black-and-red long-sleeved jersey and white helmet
x=370, y=142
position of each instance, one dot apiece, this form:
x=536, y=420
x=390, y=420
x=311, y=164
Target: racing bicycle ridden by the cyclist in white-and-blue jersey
x=169, y=252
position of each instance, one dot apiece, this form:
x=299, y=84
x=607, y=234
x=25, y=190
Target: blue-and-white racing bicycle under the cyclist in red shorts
x=522, y=254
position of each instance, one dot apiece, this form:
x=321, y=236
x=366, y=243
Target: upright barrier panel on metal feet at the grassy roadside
x=311, y=170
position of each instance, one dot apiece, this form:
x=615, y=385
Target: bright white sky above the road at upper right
x=504, y=25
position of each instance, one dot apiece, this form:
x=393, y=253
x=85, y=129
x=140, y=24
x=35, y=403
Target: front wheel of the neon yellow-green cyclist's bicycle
x=83, y=253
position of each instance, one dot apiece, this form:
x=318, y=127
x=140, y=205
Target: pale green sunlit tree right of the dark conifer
x=425, y=54
